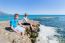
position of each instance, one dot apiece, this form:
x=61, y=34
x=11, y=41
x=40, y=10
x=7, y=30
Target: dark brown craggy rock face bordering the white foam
x=32, y=32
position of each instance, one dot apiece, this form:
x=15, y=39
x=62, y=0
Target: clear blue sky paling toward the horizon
x=33, y=6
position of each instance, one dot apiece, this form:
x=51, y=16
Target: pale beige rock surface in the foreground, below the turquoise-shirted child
x=12, y=37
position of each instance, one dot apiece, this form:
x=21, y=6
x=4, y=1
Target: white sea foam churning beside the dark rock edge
x=46, y=35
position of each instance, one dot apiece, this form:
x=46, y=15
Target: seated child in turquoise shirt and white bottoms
x=14, y=25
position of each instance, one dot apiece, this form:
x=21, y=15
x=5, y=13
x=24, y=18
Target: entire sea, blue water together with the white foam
x=48, y=24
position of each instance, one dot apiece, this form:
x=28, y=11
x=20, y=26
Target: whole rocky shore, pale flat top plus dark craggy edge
x=12, y=37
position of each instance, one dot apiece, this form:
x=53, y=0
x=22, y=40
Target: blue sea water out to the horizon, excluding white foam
x=57, y=21
